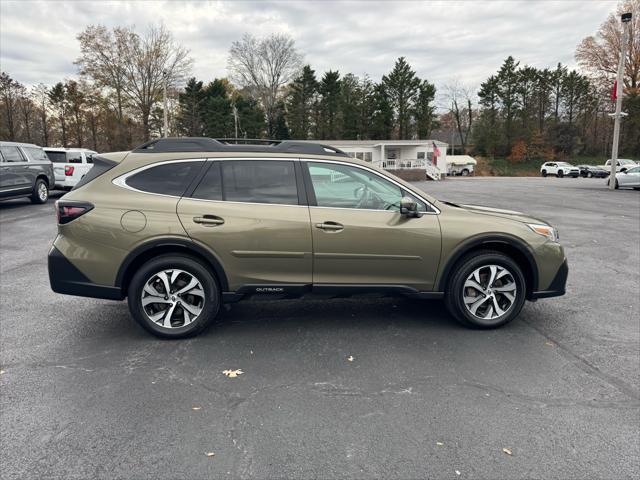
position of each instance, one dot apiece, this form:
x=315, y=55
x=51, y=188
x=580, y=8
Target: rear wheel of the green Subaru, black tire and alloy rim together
x=174, y=296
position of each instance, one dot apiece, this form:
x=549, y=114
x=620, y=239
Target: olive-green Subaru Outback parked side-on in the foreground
x=181, y=226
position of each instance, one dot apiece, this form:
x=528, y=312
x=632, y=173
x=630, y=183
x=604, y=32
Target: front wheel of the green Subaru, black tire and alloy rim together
x=487, y=290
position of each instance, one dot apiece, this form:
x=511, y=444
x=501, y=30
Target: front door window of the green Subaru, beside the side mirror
x=342, y=186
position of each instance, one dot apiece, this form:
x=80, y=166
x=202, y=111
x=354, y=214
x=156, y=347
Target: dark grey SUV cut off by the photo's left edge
x=25, y=171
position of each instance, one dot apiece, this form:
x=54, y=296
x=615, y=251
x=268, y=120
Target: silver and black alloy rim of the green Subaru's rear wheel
x=172, y=298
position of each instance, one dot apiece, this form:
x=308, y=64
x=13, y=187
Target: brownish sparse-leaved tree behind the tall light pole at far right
x=600, y=54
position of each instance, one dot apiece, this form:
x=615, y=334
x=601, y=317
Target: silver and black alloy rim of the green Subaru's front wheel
x=489, y=292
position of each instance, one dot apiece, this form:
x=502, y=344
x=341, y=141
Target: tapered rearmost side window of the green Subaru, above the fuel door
x=167, y=179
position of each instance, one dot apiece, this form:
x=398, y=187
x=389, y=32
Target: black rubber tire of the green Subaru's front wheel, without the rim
x=455, y=289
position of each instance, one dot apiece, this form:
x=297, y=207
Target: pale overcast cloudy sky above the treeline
x=466, y=40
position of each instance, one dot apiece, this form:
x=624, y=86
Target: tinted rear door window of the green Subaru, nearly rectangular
x=268, y=181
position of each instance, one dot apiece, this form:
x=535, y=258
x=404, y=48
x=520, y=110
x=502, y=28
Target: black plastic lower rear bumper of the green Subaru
x=65, y=278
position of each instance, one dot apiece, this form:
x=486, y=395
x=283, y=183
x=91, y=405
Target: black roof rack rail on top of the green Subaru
x=204, y=144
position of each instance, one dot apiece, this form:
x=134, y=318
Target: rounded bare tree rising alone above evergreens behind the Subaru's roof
x=263, y=66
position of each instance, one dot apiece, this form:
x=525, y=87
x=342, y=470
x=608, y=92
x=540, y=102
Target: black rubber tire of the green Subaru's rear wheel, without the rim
x=212, y=297
